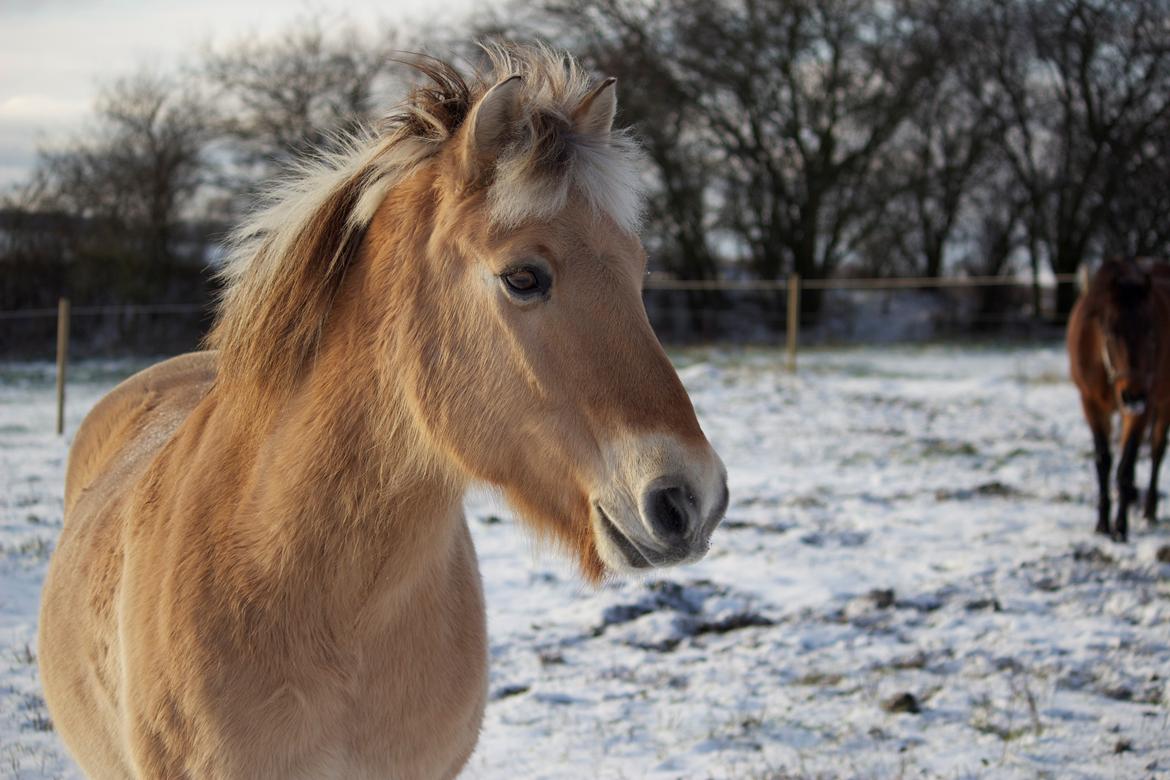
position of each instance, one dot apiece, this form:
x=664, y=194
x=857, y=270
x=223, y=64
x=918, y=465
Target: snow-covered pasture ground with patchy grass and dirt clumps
x=906, y=585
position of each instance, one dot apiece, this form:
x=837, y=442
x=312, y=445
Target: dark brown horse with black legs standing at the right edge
x=1119, y=350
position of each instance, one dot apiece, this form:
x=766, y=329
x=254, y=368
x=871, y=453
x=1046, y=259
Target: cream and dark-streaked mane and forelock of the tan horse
x=288, y=260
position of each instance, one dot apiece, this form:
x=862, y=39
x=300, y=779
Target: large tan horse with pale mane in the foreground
x=265, y=570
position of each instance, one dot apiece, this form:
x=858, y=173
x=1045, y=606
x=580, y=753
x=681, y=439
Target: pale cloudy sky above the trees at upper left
x=57, y=54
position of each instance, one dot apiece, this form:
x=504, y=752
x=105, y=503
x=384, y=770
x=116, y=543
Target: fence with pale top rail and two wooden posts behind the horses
x=794, y=286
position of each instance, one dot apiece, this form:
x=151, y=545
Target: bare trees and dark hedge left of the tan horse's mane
x=135, y=209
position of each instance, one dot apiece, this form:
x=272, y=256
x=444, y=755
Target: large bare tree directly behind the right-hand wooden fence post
x=802, y=99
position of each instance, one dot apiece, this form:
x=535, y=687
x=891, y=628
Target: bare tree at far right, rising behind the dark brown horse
x=1077, y=88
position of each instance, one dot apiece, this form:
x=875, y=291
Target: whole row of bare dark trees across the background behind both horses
x=830, y=137
